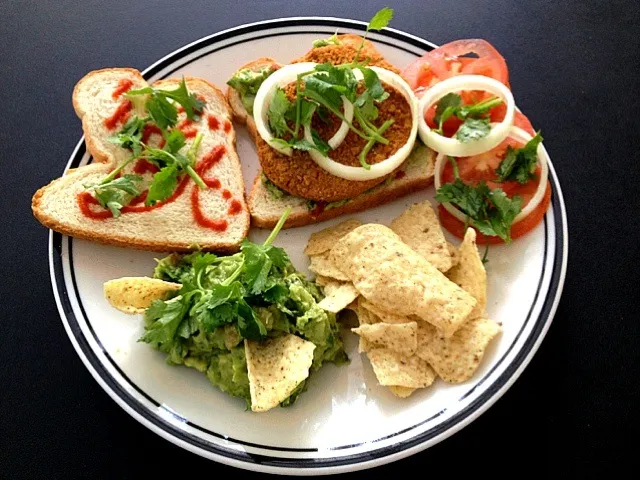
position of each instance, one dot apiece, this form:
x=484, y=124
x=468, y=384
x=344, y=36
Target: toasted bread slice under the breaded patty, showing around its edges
x=417, y=171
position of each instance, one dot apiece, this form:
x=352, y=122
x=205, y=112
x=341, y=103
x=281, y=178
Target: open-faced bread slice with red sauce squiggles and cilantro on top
x=165, y=174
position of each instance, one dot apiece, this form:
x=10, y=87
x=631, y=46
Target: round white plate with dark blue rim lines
x=344, y=421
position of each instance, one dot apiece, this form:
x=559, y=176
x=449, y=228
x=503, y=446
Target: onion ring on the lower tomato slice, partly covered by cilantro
x=543, y=159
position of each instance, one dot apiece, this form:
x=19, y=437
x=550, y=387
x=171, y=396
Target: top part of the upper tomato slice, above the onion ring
x=454, y=59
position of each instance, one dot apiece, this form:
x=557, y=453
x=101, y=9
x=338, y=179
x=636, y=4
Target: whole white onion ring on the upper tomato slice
x=453, y=146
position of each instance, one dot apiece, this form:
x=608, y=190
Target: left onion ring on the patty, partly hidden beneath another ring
x=281, y=78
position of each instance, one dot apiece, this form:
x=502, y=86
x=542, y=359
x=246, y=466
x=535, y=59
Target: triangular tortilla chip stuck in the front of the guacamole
x=276, y=367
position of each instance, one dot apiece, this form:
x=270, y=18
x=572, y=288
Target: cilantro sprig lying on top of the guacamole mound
x=219, y=291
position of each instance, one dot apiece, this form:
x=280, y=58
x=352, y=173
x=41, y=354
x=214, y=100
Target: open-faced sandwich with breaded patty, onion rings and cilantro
x=335, y=131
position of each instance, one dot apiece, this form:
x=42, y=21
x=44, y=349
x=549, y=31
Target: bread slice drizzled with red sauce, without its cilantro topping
x=171, y=226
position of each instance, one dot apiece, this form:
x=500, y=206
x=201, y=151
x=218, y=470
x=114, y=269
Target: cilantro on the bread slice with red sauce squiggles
x=114, y=192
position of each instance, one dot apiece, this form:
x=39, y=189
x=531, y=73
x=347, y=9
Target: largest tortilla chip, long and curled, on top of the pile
x=391, y=275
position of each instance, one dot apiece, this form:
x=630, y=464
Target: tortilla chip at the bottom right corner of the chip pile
x=456, y=359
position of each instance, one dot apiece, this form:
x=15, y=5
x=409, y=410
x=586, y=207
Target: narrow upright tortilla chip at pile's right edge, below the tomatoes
x=470, y=274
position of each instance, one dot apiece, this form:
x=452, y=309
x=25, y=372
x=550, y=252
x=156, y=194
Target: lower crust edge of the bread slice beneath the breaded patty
x=266, y=209
